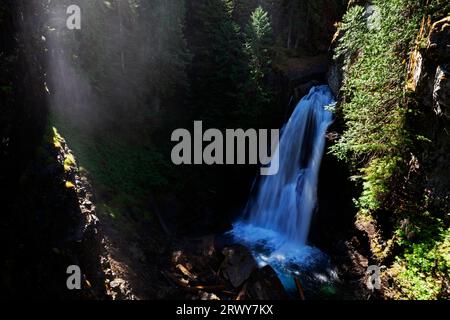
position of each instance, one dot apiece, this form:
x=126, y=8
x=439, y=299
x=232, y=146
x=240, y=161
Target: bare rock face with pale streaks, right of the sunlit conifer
x=429, y=82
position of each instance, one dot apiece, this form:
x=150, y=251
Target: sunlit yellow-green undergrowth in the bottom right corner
x=423, y=270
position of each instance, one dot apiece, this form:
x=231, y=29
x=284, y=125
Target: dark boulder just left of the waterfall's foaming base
x=238, y=265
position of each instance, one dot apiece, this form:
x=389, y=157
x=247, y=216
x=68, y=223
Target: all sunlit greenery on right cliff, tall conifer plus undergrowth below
x=377, y=142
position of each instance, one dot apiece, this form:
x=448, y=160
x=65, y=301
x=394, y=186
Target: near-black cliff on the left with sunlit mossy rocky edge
x=49, y=220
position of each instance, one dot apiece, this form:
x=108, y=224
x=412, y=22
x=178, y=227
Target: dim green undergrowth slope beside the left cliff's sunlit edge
x=124, y=174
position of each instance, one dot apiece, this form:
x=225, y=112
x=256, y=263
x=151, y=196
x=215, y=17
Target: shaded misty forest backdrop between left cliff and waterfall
x=133, y=87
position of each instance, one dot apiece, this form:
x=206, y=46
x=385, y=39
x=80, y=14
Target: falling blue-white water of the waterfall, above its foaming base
x=285, y=202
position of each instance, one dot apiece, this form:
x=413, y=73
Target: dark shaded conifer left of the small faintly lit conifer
x=217, y=71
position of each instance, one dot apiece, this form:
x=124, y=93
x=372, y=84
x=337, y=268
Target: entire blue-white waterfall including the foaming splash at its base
x=277, y=220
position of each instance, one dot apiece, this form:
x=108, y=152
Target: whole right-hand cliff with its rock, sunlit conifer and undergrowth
x=392, y=131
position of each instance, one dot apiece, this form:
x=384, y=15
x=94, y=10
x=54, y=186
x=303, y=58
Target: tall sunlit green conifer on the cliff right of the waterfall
x=374, y=106
